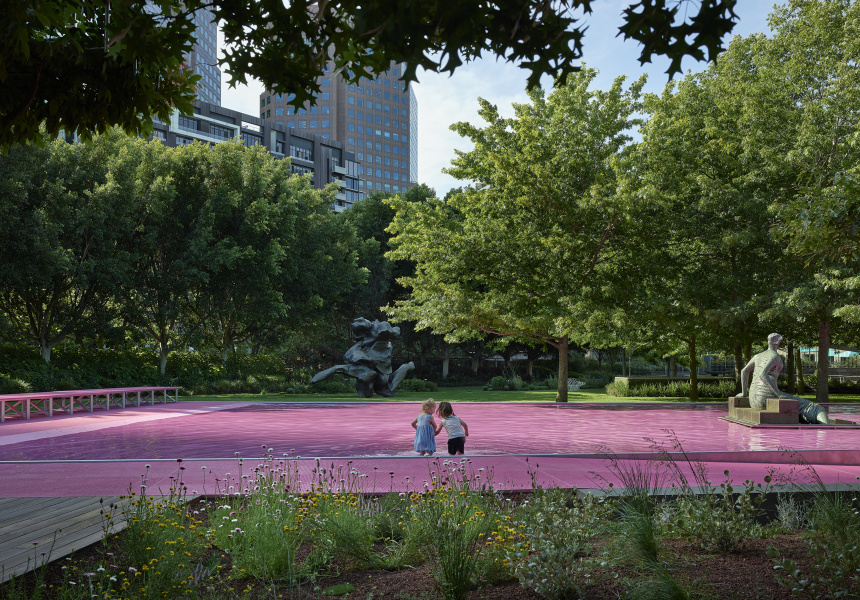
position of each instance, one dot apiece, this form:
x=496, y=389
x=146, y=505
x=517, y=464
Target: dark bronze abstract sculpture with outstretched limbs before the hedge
x=369, y=360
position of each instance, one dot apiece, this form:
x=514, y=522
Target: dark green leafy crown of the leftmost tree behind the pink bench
x=69, y=223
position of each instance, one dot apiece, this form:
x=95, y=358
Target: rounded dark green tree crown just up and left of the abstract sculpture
x=270, y=247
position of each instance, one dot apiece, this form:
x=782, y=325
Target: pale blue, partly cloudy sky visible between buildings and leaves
x=443, y=99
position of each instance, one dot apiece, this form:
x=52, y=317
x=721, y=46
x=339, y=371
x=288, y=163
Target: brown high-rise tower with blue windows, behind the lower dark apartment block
x=375, y=118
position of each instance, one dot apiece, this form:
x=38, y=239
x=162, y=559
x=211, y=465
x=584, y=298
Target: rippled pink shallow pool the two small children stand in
x=192, y=430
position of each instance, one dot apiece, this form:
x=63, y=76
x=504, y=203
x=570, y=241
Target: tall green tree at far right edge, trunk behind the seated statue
x=801, y=89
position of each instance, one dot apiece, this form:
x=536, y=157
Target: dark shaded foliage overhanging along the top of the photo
x=85, y=65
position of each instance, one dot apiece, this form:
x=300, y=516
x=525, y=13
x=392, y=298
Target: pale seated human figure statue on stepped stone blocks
x=766, y=367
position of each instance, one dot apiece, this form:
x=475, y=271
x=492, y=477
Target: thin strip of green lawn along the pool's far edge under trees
x=461, y=394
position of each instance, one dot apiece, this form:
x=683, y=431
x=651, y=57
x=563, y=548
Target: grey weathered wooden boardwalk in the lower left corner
x=56, y=526
